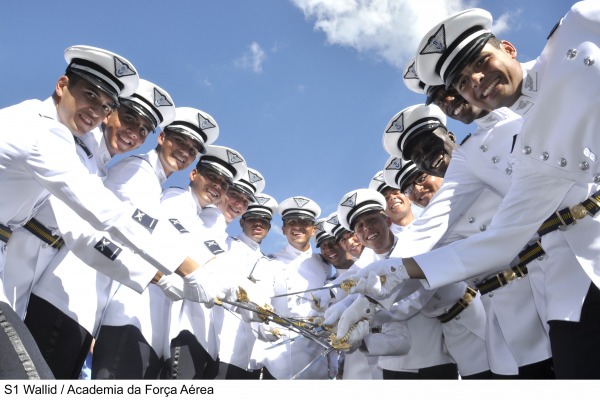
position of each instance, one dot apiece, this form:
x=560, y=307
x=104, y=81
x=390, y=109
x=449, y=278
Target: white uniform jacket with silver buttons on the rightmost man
x=555, y=165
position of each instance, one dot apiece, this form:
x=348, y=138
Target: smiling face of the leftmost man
x=81, y=107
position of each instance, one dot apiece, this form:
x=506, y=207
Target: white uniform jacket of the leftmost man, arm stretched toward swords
x=37, y=158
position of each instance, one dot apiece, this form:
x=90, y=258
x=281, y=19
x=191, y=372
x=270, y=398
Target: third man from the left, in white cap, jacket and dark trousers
x=138, y=319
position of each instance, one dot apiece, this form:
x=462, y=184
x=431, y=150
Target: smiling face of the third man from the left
x=176, y=151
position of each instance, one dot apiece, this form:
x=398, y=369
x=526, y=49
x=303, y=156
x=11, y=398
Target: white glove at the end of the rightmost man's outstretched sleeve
x=380, y=278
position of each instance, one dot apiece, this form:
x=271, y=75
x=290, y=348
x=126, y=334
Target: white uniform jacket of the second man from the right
x=478, y=177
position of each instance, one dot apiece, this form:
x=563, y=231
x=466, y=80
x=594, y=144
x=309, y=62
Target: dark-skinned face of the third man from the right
x=431, y=151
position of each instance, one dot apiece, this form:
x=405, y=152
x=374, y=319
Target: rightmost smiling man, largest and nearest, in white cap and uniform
x=554, y=156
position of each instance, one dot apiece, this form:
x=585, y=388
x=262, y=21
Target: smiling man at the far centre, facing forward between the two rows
x=294, y=268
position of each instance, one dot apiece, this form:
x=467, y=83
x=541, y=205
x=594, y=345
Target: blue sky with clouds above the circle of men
x=302, y=88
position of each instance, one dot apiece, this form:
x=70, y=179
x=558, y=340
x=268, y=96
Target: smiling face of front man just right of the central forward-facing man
x=373, y=230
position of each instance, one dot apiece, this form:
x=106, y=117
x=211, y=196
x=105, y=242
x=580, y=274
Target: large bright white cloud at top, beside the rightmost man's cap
x=388, y=29
